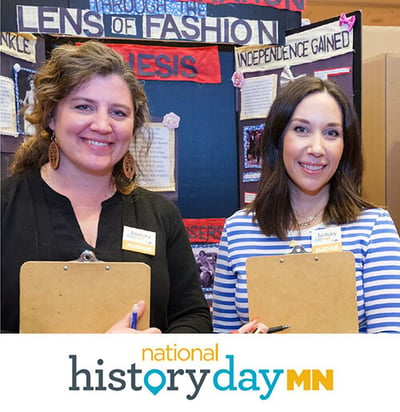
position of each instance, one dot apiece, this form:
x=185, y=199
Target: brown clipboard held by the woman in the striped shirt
x=310, y=292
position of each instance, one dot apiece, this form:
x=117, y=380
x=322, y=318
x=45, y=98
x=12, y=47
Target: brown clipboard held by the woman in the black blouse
x=81, y=297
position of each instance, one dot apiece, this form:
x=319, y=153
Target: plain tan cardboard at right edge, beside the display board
x=381, y=131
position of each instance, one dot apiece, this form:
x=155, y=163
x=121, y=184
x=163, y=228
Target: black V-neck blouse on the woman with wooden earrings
x=39, y=224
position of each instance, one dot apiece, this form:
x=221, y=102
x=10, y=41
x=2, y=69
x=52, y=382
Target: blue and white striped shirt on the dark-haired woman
x=373, y=239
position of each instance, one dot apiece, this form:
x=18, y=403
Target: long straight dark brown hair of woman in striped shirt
x=272, y=207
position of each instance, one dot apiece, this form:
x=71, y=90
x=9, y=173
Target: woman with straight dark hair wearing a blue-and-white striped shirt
x=311, y=183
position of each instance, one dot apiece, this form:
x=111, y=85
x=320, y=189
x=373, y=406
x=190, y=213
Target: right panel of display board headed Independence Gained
x=329, y=50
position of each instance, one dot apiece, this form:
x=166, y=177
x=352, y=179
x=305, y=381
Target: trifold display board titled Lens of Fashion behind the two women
x=214, y=67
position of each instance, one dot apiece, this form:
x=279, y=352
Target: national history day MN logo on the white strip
x=219, y=372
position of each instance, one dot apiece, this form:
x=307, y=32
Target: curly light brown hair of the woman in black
x=68, y=68
